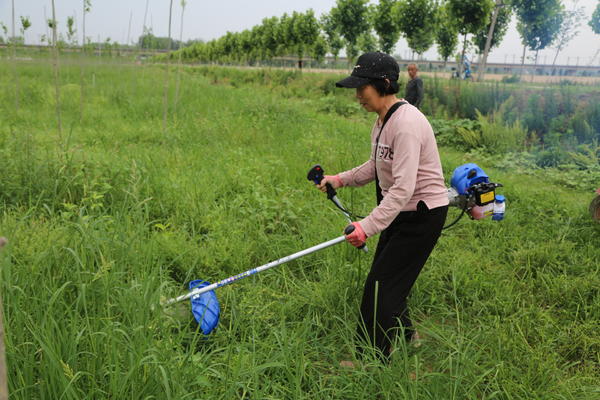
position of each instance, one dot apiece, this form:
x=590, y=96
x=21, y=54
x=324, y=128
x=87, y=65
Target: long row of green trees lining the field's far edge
x=357, y=26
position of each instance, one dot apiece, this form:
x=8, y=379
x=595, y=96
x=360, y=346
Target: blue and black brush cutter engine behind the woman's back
x=473, y=193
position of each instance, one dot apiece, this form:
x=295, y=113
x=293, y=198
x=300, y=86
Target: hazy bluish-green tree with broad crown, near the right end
x=538, y=23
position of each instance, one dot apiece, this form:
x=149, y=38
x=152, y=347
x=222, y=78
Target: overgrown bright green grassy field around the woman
x=113, y=213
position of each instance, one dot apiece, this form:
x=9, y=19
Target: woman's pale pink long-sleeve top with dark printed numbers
x=408, y=167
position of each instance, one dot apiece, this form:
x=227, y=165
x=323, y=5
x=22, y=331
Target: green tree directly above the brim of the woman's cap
x=351, y=16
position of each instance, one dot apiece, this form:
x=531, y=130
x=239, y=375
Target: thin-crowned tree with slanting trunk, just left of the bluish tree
x=492, y=34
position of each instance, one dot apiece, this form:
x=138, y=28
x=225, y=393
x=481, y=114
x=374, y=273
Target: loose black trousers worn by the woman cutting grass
x=401, y=253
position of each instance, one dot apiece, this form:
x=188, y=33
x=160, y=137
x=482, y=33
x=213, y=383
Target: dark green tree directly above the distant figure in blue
x=470, y=17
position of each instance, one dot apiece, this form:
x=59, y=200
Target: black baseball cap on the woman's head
x=372, y=65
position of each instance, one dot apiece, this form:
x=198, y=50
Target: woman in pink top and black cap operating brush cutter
x=412, y=199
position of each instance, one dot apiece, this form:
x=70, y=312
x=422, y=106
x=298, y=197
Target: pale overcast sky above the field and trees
x=211, y=19
